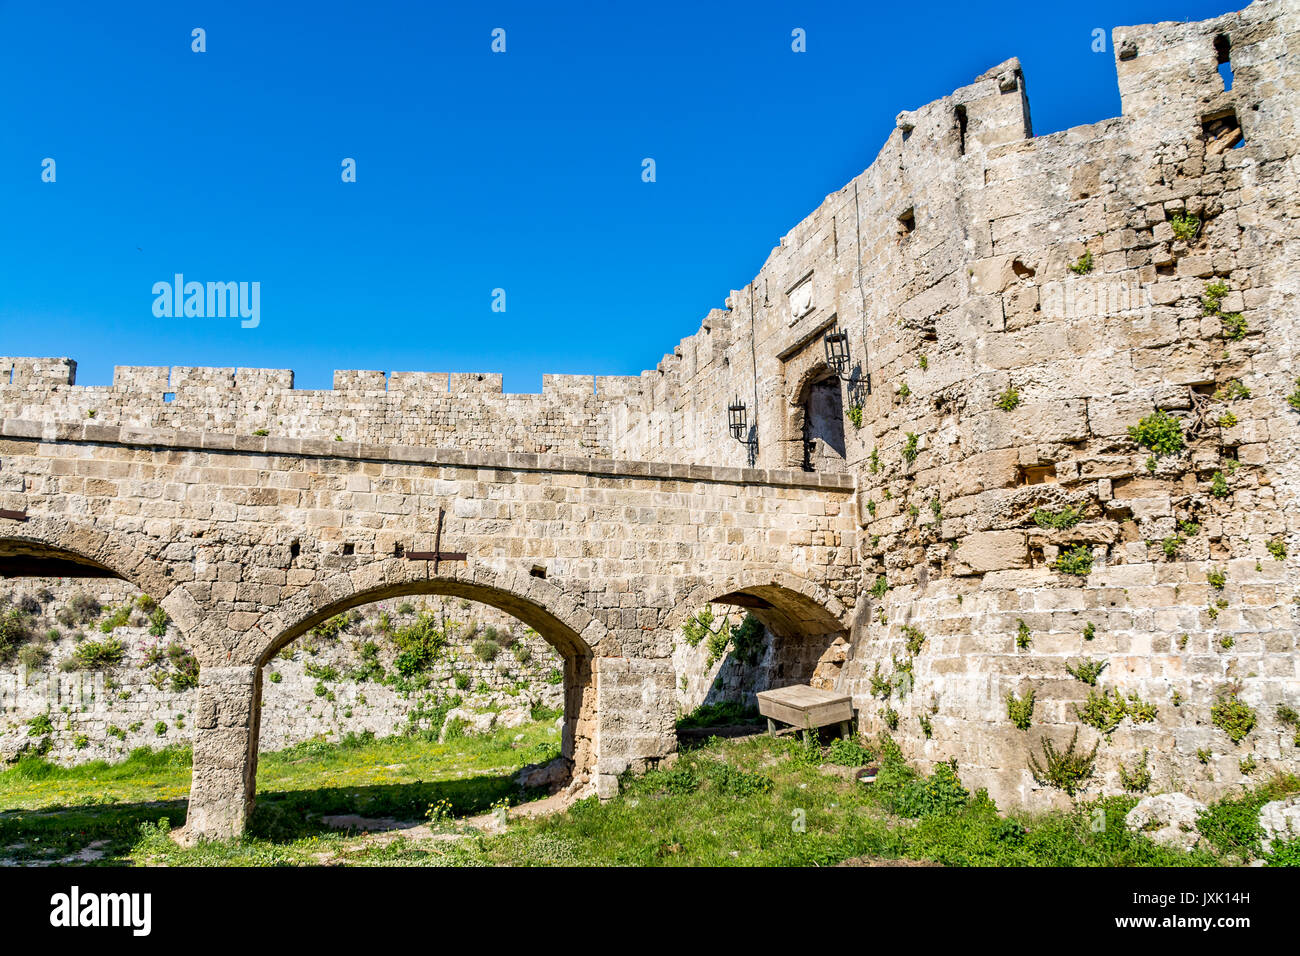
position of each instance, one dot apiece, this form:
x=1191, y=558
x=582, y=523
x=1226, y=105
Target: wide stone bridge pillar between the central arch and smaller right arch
x=636, y=717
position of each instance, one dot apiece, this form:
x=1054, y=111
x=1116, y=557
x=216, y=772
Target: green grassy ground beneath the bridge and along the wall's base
x=747, y=802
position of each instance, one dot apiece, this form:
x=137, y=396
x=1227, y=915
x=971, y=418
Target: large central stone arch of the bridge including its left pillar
x=226, y=762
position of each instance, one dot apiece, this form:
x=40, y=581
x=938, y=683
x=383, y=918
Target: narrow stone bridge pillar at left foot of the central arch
x=226, y=752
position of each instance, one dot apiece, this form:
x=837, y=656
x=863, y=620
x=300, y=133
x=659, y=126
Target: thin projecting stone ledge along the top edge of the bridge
x=96, y=434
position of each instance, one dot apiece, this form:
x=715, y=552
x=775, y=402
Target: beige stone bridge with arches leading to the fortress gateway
x=250, y=542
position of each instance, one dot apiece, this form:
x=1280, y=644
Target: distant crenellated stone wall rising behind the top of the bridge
x=573, y=414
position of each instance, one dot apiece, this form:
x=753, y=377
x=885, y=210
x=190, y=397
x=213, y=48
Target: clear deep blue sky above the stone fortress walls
x=475, y=171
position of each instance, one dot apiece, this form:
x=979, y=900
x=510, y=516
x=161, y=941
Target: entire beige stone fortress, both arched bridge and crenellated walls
x=1054, y=488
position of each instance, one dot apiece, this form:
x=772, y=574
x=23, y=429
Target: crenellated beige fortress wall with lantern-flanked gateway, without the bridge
x=1015, y=305
